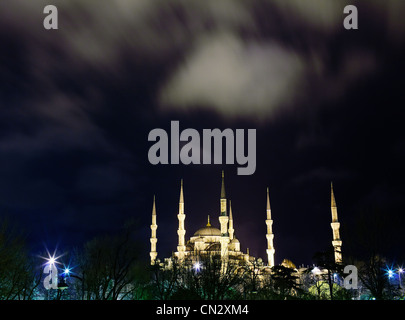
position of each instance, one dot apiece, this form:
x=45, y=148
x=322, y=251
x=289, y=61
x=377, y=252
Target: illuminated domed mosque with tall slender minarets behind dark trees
x=223, y=242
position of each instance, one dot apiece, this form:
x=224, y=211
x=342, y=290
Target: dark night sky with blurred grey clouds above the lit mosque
x=77, y=105
